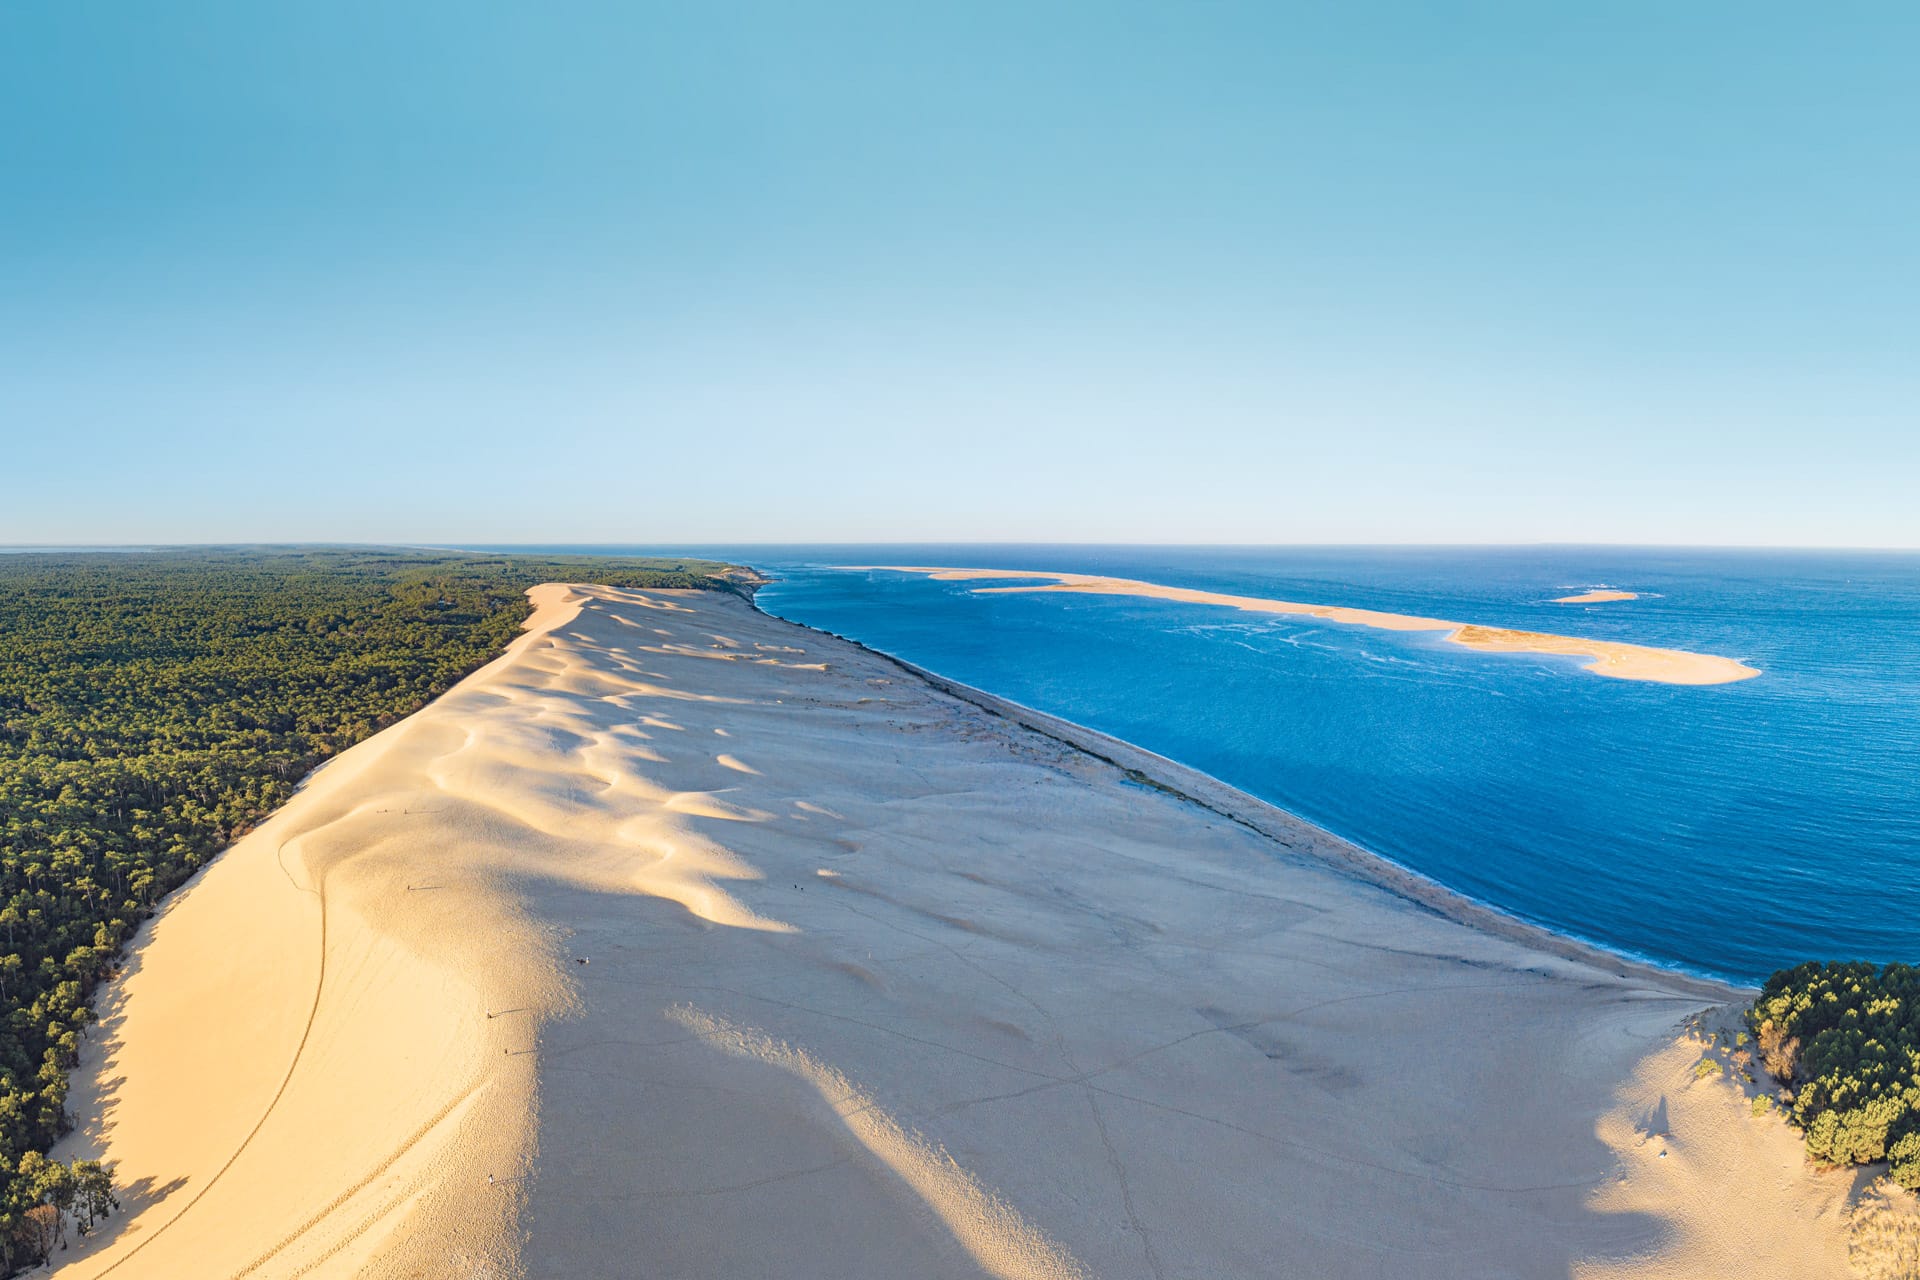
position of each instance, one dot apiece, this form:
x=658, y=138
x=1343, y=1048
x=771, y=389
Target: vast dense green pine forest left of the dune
x=153, y=709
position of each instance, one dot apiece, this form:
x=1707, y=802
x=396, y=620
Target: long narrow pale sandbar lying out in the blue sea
x=1620, y=661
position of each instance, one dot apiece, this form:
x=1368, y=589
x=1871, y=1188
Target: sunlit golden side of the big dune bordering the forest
x=377, y=1087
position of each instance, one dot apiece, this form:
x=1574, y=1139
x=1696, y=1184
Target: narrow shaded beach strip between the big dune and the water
x=1301, y=836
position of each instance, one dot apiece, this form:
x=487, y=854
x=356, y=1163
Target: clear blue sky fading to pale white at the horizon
x=565, y=270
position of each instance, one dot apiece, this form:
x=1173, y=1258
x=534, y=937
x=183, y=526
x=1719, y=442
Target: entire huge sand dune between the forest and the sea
x=688, y=943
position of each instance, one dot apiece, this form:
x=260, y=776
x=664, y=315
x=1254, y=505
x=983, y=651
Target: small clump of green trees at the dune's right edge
x=1844, y=1041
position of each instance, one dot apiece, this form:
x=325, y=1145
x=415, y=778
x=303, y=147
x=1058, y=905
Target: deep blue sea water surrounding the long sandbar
x=1725, y=830
